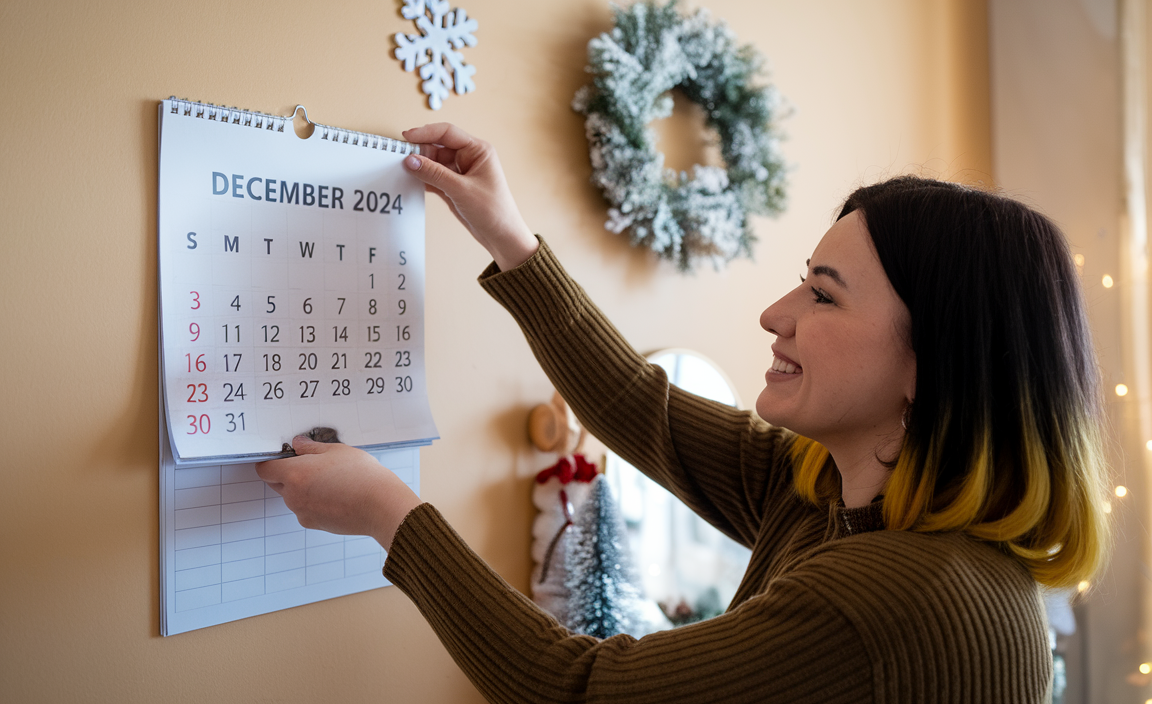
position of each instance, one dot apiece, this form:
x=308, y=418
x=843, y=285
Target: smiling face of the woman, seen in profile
x=843, y=370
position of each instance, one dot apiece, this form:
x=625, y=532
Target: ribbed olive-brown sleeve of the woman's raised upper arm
x=724, y=464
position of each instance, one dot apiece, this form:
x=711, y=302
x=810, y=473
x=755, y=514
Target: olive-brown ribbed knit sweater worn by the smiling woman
x=833, y=608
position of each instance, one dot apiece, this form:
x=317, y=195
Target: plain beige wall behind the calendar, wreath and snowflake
x=878, y=86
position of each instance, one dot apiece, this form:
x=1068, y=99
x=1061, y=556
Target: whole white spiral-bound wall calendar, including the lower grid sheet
x=292, y=298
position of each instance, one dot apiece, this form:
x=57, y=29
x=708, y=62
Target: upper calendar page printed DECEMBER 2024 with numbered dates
x=292, y=286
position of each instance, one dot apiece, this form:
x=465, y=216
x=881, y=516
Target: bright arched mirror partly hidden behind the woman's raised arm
x=685, y=564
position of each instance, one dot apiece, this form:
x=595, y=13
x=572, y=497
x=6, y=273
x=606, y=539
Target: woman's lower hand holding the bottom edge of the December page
x=340, y=489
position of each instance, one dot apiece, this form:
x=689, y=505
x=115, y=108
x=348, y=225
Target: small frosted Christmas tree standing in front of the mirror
x=604, y=599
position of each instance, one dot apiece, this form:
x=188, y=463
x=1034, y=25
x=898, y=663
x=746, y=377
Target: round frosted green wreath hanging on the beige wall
x=703, y=217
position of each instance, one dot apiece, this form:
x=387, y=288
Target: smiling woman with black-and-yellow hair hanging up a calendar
x=934, y=453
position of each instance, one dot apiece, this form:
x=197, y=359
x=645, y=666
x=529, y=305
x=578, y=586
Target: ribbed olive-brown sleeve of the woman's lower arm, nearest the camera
x=786, y=646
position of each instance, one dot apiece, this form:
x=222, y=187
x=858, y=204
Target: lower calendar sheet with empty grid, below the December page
x=231, y=549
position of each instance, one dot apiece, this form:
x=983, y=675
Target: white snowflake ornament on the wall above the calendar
x=443, y=32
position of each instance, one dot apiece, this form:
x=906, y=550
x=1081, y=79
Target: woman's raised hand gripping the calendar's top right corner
x=466, y=172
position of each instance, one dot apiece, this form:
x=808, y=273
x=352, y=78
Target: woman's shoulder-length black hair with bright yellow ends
x=1004, y=437
